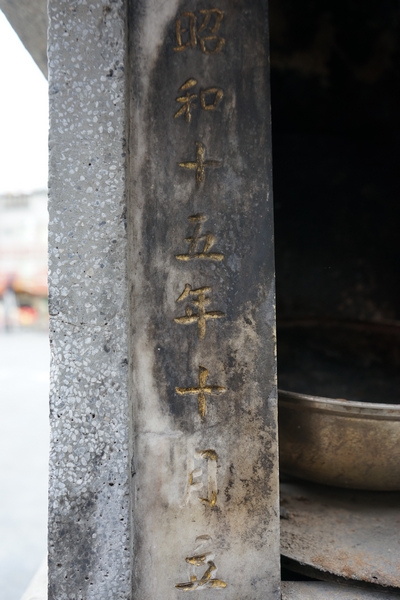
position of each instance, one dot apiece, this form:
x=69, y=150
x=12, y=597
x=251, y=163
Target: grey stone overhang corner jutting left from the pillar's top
x=29, y=19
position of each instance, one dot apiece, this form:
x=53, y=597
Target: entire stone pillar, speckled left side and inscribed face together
x=164, y=455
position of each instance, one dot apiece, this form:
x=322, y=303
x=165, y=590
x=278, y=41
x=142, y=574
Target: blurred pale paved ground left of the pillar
x=24, y=439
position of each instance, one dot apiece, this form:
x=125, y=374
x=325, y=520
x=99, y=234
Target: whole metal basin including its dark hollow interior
x=353, y=443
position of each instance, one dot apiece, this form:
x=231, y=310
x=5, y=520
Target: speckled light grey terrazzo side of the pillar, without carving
x=90, y=544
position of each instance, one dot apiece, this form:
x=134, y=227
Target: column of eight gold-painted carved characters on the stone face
x=200, y=31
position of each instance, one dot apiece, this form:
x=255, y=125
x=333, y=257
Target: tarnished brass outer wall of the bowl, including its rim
x=339, y=442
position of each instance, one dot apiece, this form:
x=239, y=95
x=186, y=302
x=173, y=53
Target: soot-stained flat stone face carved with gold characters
x=203, y=335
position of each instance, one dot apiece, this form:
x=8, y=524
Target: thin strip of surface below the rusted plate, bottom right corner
x=299, y=590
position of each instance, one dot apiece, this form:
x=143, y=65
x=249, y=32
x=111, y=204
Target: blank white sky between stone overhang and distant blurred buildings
x=23, y=117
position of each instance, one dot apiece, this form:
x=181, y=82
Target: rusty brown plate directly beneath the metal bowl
x=353, y=535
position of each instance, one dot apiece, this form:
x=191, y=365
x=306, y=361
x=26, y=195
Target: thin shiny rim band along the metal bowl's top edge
x=339, y=406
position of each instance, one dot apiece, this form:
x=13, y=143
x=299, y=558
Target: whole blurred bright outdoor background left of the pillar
x=24, y=347
